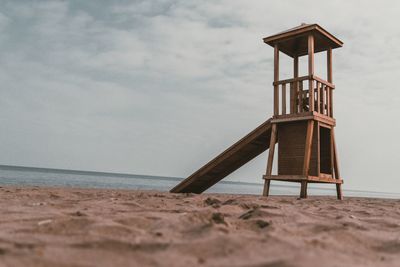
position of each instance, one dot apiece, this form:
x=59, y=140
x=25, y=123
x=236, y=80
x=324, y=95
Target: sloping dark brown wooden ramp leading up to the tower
x=247, y=148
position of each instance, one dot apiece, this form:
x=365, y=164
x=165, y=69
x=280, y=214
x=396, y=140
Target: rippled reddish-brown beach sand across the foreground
x=96, y=227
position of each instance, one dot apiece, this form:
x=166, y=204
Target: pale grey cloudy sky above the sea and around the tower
x=161, y=87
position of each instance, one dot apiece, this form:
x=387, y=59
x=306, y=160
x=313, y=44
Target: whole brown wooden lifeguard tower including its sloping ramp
x=302, y=125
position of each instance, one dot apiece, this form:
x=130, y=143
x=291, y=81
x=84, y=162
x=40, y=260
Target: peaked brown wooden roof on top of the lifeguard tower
x=293, y=42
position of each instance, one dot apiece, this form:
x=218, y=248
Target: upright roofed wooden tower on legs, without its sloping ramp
x=303, y=122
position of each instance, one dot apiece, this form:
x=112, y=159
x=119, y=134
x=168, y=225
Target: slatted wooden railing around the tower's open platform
x=293, y=96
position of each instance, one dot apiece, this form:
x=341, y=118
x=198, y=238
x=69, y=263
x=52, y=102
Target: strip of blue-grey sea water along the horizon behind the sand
x=28, y=176
